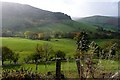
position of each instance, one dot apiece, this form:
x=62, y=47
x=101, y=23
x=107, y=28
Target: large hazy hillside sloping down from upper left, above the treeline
x=20, y=18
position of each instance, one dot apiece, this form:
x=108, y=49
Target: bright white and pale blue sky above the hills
x=75, y=8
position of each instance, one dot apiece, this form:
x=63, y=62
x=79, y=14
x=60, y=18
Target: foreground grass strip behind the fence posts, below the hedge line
x=69, y=69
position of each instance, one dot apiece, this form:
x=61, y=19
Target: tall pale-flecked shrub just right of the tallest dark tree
x=94, y=50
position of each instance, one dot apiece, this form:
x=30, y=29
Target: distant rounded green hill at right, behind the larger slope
x=107, y=23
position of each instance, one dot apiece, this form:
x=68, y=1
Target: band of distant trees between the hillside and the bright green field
x=101, y=34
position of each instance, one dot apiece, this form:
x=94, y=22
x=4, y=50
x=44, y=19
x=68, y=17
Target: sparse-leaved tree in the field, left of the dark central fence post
x=43, y=53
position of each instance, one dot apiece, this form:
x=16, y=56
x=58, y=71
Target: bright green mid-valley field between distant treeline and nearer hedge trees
x=26, y=47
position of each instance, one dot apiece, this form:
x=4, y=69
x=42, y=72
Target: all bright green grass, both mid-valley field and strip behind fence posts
x=26, y=47
